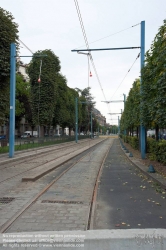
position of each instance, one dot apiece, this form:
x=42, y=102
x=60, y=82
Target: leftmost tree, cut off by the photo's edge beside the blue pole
x=8, y=35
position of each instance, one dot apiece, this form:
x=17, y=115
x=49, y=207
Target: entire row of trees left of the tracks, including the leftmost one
x=48, y=102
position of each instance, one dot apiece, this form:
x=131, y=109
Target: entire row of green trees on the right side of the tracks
x=149, y=106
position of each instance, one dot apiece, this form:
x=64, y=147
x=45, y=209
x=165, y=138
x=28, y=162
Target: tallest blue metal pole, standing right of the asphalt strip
x=142, y=128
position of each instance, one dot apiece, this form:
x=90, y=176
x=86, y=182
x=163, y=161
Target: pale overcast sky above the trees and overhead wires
x=54, y=24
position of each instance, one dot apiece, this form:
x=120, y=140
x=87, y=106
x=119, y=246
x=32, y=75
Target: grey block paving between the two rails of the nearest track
x=66, y=204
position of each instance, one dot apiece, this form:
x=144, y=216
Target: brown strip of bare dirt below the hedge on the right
x=159, y=167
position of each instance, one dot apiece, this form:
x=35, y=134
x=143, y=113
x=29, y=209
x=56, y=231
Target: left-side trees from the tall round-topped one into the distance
x=52, y=101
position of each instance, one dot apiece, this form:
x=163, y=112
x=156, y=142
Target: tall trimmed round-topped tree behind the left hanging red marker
x=43, y=94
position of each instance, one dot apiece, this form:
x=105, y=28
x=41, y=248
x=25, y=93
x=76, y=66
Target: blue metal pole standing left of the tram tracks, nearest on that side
x=12, y=99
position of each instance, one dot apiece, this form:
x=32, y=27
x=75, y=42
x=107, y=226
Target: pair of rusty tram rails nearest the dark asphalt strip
x=91, y=209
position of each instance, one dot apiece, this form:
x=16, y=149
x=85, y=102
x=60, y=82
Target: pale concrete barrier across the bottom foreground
x=119, y=239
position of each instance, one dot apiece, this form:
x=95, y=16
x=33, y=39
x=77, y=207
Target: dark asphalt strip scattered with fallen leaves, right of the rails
x=126, y=198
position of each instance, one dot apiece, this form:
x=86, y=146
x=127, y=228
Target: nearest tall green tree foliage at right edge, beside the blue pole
x=154, y=82
